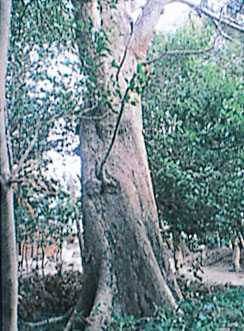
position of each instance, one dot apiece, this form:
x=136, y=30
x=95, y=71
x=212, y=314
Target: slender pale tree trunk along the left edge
x=8, y=241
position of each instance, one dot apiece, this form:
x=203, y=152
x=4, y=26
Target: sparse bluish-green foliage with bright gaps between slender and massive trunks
x=43, y=85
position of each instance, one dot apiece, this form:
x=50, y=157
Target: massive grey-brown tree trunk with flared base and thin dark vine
x=123, y=255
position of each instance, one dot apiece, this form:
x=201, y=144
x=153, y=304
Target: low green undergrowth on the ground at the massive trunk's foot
x=204, y=308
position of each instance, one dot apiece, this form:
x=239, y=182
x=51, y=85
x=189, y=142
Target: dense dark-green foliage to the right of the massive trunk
x=194, y=130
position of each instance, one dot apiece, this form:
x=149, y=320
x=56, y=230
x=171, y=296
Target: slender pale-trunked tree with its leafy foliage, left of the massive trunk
x=36, y=98
